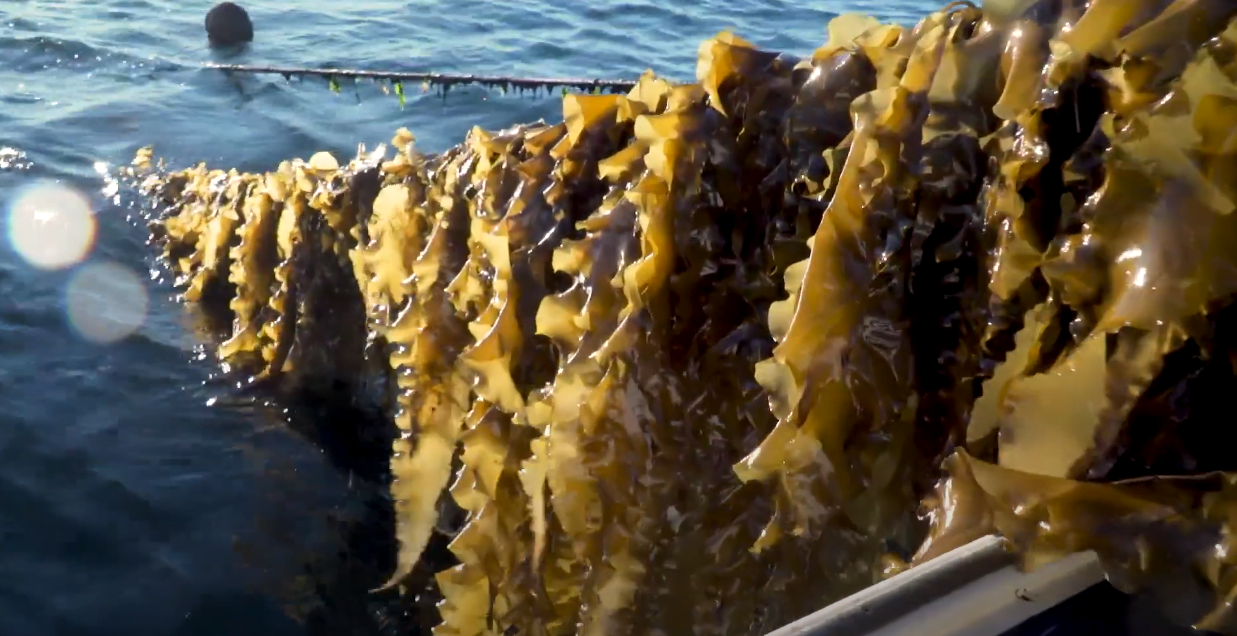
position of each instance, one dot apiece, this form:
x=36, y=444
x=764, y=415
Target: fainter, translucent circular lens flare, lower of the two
x=107, y=303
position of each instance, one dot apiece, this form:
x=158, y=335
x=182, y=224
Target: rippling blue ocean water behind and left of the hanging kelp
x=137, y=497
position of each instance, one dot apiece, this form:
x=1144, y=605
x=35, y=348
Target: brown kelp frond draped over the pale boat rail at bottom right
x=1175, y=535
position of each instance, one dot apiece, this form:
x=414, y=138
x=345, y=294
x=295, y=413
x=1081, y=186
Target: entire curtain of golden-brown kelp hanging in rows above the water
x=707, y=347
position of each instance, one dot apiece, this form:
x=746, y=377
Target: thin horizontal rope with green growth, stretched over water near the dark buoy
x=442, y=80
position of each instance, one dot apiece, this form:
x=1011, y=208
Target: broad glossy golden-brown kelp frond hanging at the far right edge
x=1134, y=285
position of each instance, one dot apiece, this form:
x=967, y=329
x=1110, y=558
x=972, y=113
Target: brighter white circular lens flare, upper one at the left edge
x=51, y=226
